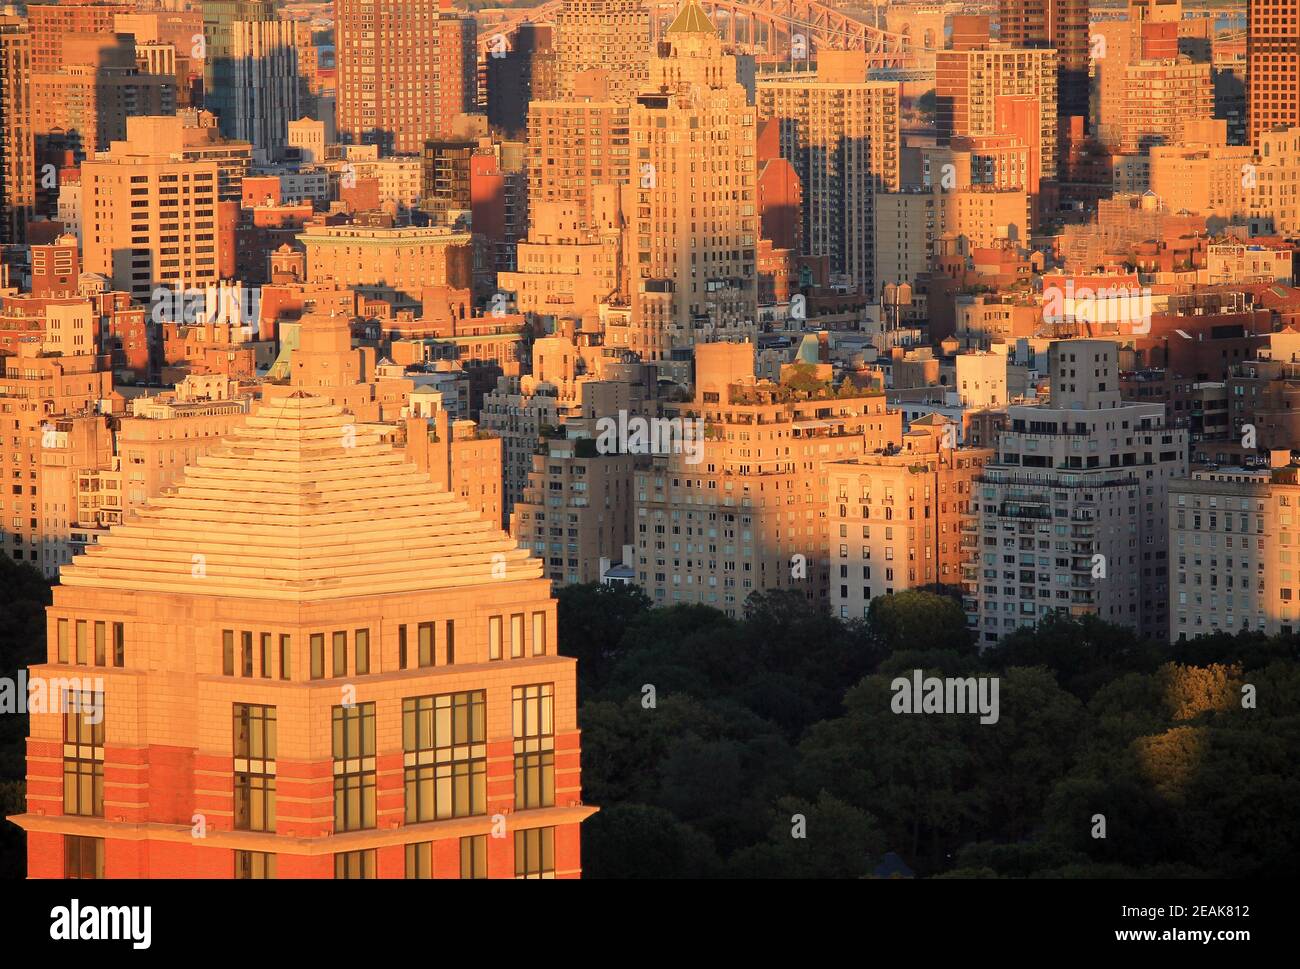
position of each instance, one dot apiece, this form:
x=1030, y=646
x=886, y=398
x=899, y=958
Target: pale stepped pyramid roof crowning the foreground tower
x=302, y=504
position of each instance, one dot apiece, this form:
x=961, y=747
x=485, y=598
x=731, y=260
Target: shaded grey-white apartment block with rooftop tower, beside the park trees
x=1073, y=513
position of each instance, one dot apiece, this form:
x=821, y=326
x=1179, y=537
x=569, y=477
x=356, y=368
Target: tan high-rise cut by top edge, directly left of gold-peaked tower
x=608, y=36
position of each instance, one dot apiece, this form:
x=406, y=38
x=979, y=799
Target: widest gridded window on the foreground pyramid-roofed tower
x=445, y=743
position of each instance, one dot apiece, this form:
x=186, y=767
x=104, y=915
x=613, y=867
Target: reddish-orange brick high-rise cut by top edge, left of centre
x=405, y=71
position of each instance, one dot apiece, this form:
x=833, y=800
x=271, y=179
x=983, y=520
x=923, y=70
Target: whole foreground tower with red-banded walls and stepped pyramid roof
x=305, y=661
